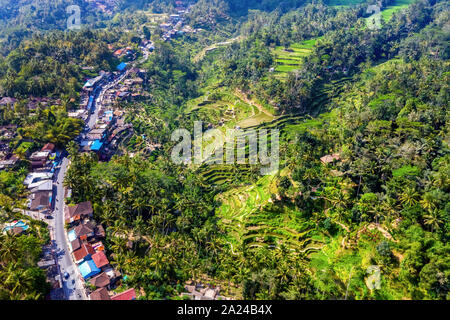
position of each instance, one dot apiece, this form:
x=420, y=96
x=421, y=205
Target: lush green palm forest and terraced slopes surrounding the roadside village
x=364, y=175
